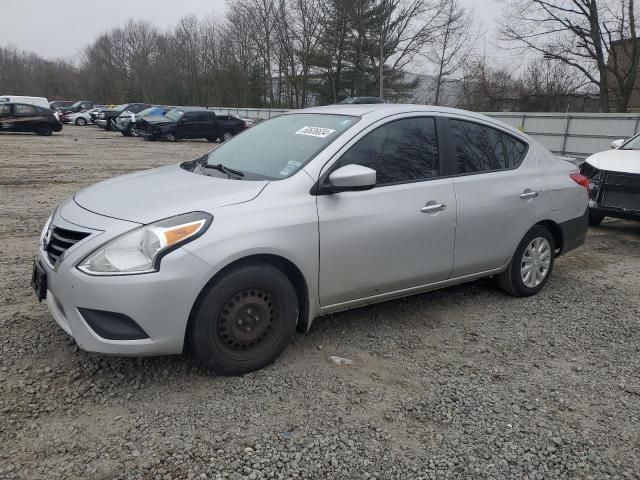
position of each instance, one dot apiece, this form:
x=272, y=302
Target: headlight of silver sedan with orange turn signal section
x=140, y=250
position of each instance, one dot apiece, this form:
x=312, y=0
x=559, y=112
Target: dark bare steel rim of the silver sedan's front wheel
x=246, y=320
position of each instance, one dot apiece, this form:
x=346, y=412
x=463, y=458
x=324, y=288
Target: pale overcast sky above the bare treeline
x=61, y=28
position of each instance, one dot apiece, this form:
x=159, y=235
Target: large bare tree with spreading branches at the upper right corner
x=581, y=34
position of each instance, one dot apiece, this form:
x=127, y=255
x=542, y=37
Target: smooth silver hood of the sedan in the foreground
x=151, y=195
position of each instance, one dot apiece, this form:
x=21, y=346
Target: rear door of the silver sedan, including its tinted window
x=498, y=191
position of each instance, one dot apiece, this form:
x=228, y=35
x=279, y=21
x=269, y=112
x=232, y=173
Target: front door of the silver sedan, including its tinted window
x=397, y=235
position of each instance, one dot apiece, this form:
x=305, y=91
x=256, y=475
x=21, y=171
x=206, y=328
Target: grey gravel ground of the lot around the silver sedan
x=461, y=383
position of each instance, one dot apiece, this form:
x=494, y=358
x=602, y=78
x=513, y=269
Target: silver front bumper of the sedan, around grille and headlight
x=159, y=303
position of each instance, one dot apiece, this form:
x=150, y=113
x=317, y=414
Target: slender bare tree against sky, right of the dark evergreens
x=453, y=47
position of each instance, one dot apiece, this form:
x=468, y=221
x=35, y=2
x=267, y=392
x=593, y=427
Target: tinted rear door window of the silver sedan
x=480, y=148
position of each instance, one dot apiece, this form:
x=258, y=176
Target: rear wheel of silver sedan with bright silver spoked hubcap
x=514, y=280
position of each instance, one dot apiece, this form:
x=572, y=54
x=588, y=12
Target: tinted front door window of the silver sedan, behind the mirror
x=401, y=151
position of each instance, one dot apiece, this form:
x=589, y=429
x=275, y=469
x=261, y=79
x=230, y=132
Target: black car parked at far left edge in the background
x=20, y=117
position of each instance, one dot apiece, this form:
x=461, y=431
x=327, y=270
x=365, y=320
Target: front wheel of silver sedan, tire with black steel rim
x=244, y=320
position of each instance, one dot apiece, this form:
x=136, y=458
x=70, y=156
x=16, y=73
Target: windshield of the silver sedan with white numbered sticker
x=279, y=147
